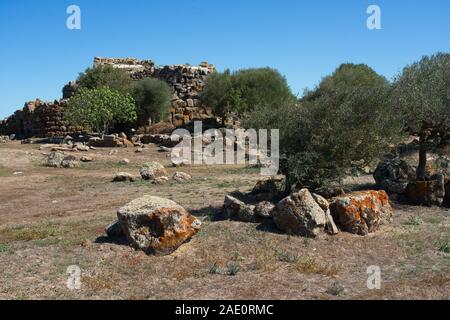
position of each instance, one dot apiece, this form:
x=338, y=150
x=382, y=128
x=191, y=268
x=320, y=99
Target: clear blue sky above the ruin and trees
x=304, y=39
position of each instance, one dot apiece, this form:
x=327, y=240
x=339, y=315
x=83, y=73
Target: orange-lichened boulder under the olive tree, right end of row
x=362, y=212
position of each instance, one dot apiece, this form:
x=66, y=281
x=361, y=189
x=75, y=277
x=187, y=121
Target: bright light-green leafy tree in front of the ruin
x=100, y=109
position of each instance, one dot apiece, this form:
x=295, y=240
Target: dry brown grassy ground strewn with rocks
x=53, y=218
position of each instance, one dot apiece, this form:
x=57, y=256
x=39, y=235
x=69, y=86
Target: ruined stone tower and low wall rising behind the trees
x=44, y=119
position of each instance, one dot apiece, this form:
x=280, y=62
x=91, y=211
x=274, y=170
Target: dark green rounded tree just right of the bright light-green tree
x=152, y=98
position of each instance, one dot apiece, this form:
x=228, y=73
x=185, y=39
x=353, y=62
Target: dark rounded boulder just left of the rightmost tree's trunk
x=393, y=175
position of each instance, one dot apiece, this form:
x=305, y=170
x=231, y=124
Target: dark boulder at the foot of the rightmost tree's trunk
x=427, y=193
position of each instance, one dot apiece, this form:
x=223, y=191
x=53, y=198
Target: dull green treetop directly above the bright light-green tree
x=105, y=76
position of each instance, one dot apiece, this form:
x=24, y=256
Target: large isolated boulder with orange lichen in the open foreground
x=156, y=225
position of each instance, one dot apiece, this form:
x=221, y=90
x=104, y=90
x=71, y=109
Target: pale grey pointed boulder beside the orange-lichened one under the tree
x=299, y=214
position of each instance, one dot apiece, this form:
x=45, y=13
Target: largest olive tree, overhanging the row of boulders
x=340, y=132
